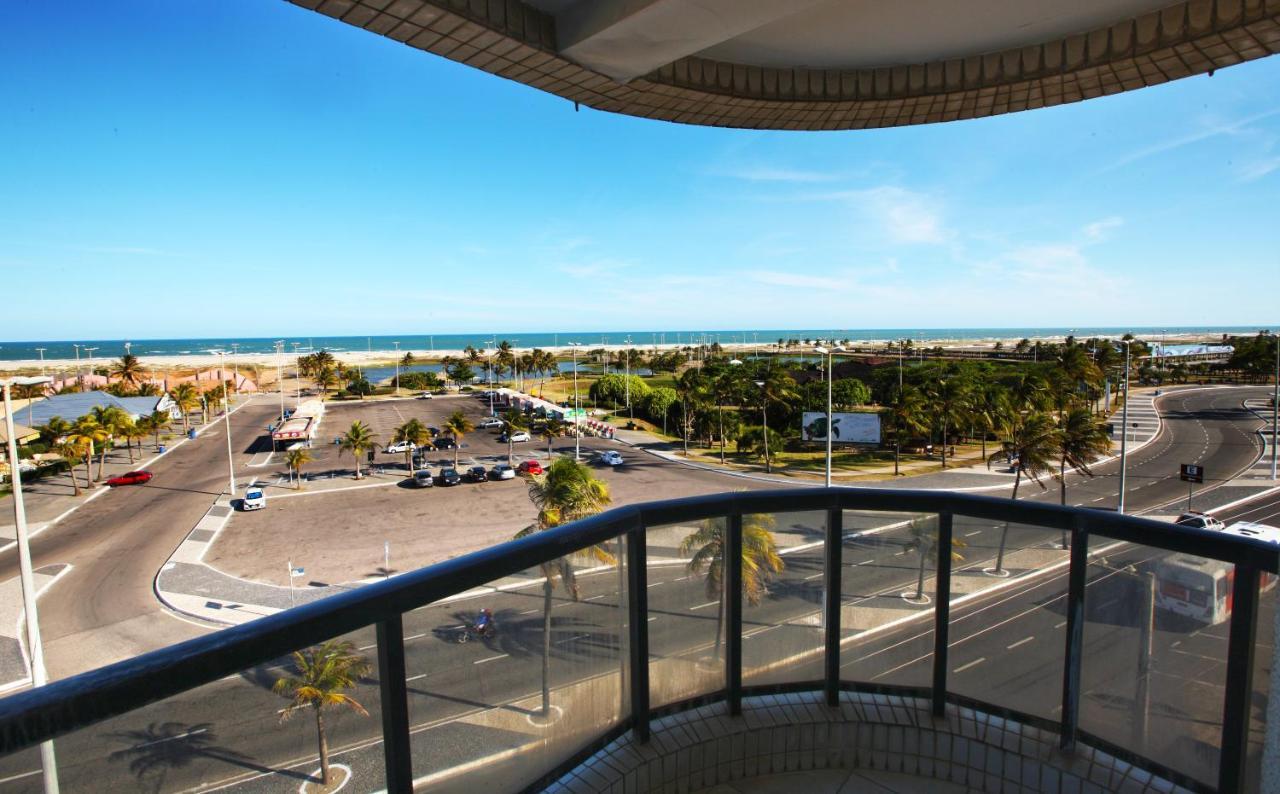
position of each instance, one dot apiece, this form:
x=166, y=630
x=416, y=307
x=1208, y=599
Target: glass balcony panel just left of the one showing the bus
x=1008, y=628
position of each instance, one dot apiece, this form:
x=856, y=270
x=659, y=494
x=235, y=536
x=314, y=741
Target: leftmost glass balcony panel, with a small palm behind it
x=230, y=733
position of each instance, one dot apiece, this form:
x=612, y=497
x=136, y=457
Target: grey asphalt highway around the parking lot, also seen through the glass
x=470, y=701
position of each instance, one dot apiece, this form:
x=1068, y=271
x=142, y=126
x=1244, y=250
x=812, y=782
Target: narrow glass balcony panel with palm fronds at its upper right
x=687, y=619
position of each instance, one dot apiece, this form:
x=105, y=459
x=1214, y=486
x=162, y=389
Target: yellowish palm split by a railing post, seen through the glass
x=761, y=560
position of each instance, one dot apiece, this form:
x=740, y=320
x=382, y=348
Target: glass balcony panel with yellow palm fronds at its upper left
x=783, y=597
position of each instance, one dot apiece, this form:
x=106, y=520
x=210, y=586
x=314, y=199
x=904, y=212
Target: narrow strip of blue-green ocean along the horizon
x=115, y=349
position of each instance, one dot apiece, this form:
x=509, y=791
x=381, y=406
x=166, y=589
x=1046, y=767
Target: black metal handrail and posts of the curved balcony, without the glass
x=81, y=701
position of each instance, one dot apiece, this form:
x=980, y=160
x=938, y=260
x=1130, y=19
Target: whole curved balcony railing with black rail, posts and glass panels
x=883, y=591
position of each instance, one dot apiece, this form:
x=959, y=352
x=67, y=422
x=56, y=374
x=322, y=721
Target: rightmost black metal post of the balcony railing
x=1241, y=646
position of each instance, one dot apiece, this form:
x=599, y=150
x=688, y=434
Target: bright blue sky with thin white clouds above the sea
x=253, y=168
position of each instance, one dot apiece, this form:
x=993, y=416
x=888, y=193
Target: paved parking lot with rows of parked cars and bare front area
x=337, y=528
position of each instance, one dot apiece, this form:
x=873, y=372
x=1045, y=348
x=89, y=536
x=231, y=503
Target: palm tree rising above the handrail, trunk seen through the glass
x=568, y=492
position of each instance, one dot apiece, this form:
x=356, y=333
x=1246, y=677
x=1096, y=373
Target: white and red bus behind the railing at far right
x=1200, y=588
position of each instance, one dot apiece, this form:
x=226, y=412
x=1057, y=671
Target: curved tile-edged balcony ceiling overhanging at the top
x=828, y=65
